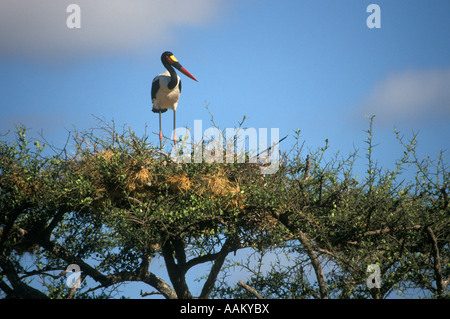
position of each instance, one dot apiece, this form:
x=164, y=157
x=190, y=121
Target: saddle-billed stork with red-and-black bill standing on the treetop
x=166, y=89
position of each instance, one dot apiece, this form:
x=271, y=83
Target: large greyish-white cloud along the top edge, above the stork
x=38, y=28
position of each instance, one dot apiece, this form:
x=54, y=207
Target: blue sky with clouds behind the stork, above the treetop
x=312, y=65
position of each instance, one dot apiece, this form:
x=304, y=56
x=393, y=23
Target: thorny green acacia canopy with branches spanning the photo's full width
x=117, y=202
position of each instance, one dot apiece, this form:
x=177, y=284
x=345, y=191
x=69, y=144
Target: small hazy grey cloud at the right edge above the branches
x=411, y=96
